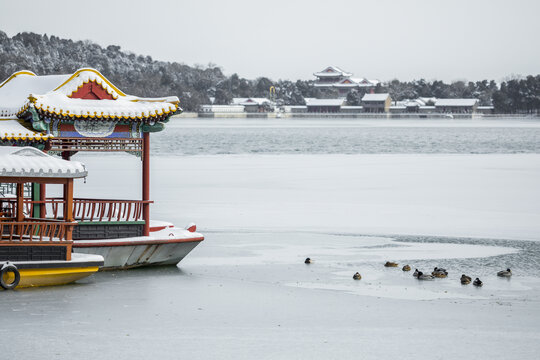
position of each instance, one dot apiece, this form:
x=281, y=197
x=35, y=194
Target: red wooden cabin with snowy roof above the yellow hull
x=27, y=236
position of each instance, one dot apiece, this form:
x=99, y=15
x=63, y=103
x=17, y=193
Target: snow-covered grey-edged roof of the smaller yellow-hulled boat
x=31, y=162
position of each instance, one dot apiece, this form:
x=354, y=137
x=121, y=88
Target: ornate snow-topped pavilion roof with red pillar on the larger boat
x=82, y=111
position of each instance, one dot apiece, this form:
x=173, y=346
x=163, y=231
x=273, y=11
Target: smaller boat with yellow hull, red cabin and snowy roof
x=38, y=251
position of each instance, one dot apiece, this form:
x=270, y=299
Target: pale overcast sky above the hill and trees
x=288, y=39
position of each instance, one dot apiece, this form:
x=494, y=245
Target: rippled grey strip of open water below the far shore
x=355, y=136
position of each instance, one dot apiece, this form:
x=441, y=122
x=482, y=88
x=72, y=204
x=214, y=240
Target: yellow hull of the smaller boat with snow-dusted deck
x=49, y=273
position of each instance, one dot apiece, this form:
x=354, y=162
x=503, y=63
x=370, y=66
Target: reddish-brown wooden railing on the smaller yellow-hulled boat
x=36, y=231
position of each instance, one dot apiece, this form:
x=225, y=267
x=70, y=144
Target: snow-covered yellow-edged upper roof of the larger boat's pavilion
x=52, y=93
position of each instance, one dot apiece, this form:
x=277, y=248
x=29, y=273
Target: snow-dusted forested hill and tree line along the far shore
x=143, y=76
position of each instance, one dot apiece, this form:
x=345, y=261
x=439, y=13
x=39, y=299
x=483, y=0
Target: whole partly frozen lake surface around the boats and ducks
x=463, y=195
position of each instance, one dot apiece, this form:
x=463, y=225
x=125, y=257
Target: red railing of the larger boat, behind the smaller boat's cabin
x=83, y=209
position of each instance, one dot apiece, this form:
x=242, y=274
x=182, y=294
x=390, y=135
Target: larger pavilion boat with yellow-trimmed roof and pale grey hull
x=85, y=112
